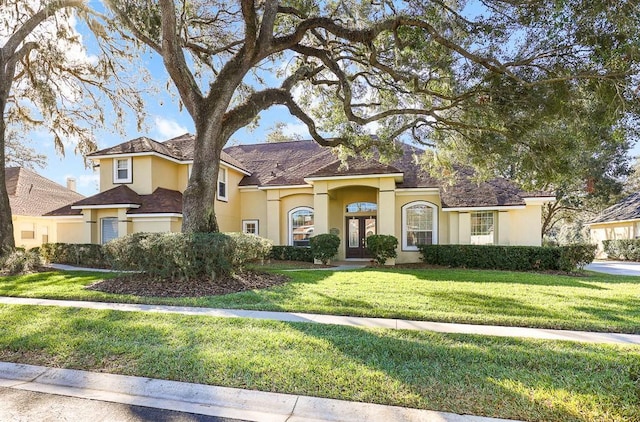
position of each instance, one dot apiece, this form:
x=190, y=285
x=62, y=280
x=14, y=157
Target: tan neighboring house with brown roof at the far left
x=30, y=197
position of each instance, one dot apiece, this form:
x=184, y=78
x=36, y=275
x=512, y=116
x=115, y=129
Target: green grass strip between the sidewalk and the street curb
x=500, y=377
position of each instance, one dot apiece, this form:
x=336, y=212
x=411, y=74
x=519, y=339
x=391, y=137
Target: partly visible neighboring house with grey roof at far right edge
x=619, y=221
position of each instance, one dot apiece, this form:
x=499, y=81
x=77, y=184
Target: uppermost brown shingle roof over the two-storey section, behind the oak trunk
x=179, y=148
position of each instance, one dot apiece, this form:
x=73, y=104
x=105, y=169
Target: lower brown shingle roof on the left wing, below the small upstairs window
x=161, y=201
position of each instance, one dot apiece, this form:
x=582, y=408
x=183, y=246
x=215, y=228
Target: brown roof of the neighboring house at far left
x=34, y=195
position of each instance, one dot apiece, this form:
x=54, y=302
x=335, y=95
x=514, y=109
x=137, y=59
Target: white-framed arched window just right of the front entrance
x=419, y=225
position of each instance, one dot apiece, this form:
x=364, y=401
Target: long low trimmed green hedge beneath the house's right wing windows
x=512, y=258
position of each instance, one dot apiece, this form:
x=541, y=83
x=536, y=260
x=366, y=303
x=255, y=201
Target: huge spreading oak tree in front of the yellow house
x=476, y=82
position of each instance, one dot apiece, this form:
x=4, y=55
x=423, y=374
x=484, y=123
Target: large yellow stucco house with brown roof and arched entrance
x=290, y=191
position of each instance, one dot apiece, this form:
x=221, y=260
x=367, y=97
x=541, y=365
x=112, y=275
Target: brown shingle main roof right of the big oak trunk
x=289, y=163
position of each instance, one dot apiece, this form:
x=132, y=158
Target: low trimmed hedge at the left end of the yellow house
x=84, y=254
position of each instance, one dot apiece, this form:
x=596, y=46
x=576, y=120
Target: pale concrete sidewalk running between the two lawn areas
x=398, y=324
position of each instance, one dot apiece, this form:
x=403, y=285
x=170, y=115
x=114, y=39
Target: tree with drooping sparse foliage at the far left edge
x=48, y=80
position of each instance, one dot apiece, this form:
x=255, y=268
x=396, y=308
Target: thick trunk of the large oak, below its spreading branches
x=198, y=213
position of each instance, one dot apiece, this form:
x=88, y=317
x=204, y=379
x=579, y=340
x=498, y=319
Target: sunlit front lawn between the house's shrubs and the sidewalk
x=596, y=302
